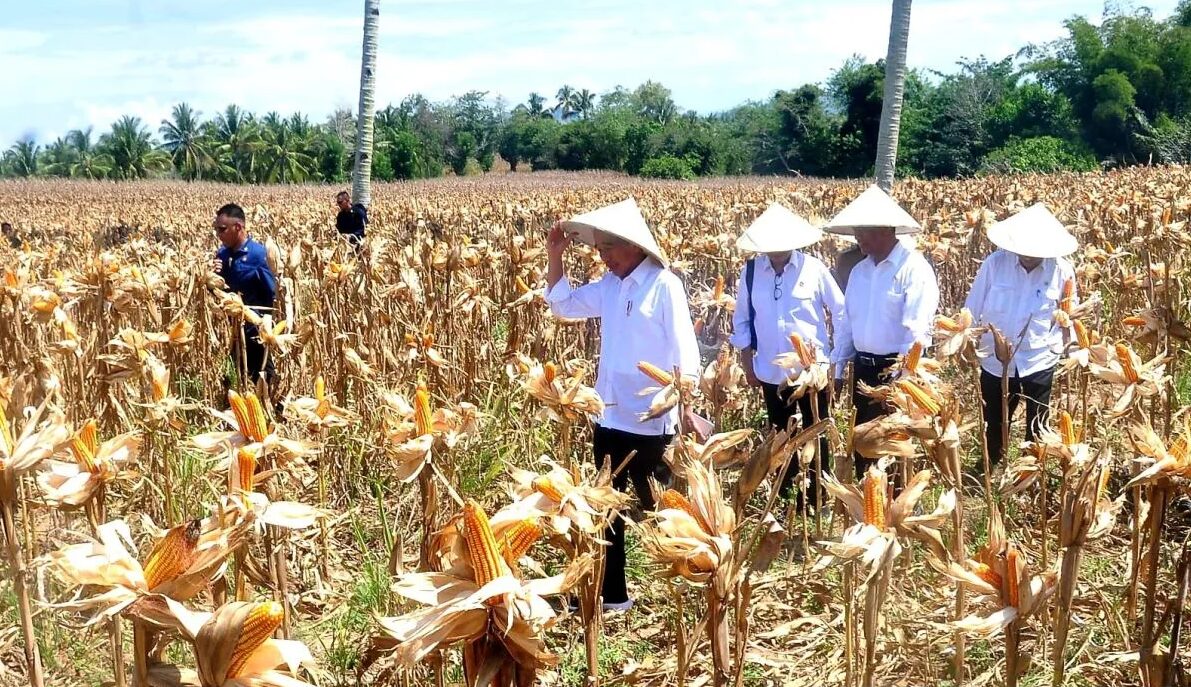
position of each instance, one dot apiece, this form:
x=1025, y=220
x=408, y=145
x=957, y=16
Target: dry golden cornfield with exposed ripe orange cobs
x=414, y=501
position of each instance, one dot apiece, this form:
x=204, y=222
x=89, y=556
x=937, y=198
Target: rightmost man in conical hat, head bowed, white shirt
x=1018, y=291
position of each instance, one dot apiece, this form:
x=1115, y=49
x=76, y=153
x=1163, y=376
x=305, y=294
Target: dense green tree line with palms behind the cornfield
x=1107, y=95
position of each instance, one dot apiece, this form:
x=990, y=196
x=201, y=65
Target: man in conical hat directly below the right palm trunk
x=890, y=302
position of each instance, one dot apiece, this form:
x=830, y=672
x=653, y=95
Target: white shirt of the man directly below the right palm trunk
x=888, y=307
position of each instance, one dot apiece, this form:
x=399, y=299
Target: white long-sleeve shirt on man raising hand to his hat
x=644, y=318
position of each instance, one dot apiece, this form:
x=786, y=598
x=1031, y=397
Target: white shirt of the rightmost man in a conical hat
x=1021, y=305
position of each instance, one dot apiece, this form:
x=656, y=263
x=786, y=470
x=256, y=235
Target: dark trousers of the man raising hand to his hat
x=648, y=463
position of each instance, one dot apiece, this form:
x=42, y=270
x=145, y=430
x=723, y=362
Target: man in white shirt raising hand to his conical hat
x=645, y=317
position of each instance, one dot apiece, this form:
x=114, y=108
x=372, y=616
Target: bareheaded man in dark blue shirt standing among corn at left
x=245, y=267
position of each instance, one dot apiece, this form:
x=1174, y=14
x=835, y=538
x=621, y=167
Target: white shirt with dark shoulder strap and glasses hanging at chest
x=794, y=302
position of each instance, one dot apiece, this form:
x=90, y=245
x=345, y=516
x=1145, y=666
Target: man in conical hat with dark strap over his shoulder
x=783, y=292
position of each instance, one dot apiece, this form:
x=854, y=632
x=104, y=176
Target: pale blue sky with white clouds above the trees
x=77, y=64
